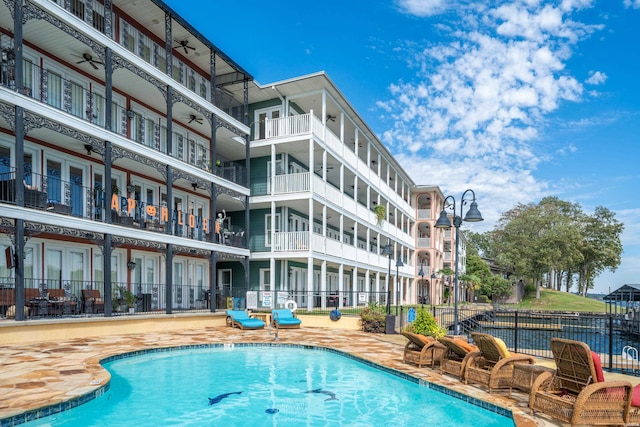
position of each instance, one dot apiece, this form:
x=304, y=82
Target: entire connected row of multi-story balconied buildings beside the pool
x=129, y=147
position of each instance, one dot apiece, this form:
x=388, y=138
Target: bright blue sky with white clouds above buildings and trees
x=514, y=99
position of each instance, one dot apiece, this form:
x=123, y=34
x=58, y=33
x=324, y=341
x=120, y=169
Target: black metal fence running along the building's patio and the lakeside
x=526, y=332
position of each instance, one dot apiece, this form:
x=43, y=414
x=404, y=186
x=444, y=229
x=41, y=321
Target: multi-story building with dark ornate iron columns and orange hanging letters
x=123, y=155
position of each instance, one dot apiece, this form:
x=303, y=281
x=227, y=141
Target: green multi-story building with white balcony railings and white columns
x=319, y=178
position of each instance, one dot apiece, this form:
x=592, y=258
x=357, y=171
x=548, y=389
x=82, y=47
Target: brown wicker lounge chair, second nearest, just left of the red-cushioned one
x=493, y=366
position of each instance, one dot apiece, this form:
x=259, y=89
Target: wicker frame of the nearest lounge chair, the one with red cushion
x=573, y=393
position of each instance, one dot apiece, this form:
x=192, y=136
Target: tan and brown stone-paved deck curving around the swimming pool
x=45, y=373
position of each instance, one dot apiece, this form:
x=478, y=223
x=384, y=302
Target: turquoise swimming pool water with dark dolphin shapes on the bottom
x=265, y=385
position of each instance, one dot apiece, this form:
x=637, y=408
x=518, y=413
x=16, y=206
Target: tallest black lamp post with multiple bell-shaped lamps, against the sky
x=473, y=215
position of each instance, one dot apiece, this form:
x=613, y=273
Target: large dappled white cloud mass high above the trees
x=480, y=99
